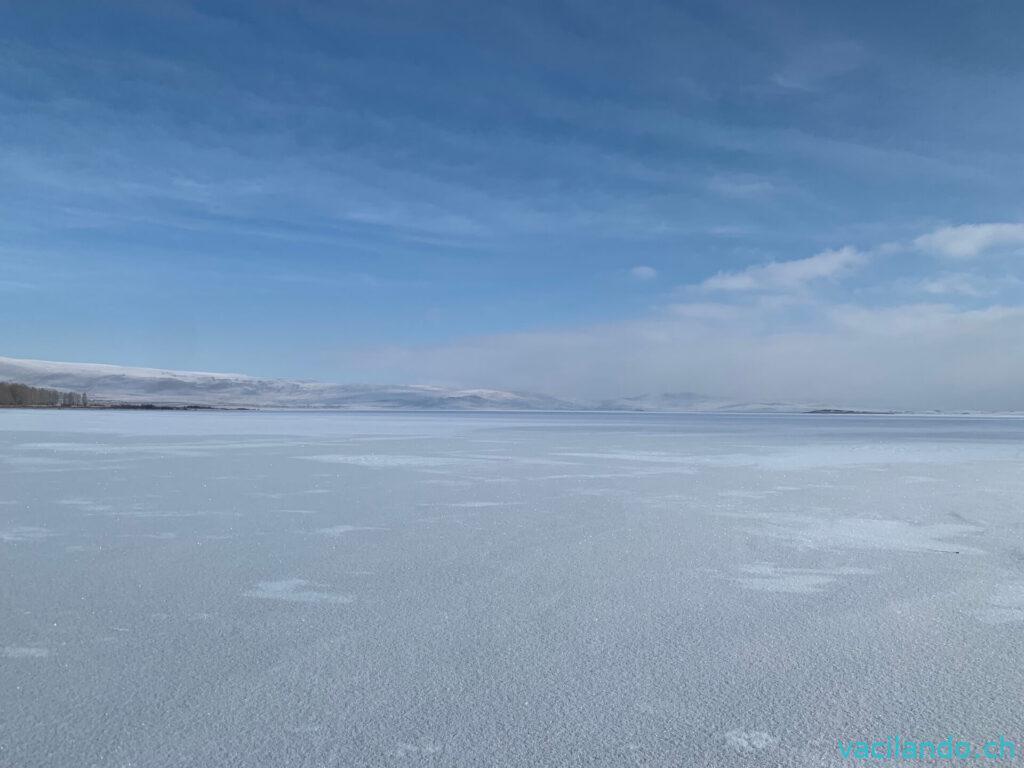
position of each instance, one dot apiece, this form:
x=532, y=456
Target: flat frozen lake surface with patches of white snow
x=330, y=589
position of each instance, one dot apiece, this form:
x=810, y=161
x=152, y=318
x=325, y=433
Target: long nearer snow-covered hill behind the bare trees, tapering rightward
x=119, y=385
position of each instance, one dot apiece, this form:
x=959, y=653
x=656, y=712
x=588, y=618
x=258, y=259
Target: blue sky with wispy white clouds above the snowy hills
x=788, y=200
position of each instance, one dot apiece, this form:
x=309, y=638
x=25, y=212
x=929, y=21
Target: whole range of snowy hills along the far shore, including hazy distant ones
x=119, y=385
